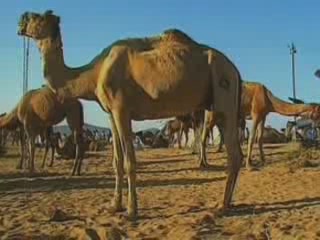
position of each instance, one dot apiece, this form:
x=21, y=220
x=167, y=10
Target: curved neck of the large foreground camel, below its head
x=65, y=81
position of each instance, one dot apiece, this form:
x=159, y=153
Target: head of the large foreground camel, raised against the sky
x=39, y=26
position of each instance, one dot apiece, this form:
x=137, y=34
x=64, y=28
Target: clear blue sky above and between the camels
x=254, y=34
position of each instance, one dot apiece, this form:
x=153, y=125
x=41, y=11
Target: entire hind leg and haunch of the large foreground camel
x=226, y=86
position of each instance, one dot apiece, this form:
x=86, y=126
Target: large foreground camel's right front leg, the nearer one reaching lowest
x=123, y=124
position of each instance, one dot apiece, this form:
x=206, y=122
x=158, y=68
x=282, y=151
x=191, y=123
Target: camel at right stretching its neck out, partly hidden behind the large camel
x=256, y=103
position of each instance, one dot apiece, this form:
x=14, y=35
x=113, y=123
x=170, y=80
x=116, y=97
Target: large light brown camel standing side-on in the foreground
x=143, y=78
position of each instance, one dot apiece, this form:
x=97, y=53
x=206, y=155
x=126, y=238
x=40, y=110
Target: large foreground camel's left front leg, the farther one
x=118, y=167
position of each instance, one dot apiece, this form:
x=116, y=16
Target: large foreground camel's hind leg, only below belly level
x=231, y=137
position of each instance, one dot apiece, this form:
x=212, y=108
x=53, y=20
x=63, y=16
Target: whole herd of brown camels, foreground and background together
x=169, y=75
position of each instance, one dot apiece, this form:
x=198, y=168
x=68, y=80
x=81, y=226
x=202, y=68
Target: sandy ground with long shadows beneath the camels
x=176, y=199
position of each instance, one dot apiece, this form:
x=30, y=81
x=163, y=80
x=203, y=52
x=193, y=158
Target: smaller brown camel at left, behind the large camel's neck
x=37, y=112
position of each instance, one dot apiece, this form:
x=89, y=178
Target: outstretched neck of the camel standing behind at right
x=283, y=107
